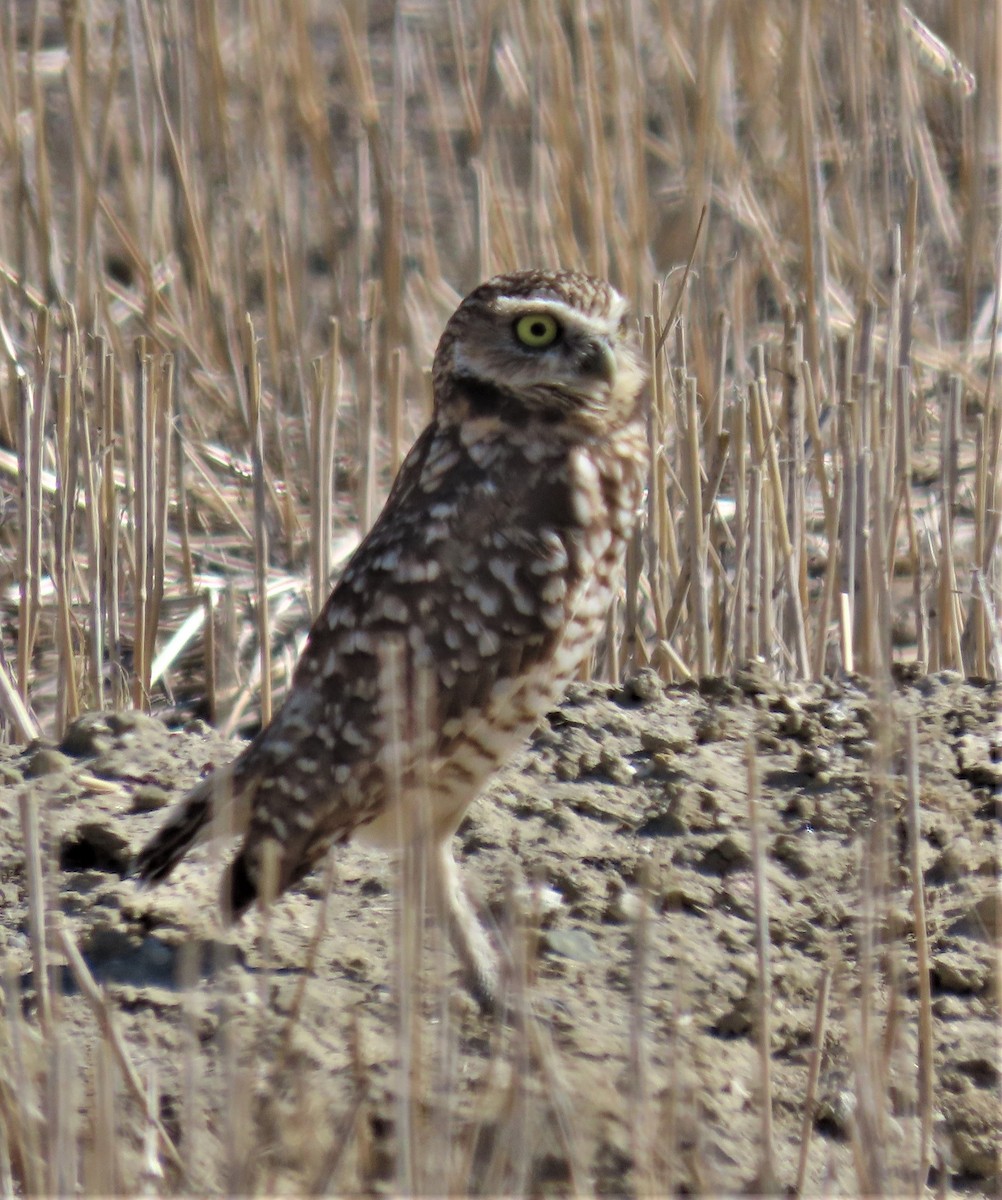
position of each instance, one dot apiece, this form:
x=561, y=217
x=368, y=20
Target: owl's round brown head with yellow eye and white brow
x=551, y=346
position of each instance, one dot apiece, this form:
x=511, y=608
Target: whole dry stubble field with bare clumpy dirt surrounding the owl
x=748, y=874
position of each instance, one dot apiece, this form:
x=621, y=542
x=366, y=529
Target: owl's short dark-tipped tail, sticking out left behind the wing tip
x=193, y=823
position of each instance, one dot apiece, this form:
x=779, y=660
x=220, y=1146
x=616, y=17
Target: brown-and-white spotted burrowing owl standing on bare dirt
x=488, y=575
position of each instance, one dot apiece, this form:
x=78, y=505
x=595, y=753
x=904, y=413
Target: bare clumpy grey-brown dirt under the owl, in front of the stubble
x=619, y=861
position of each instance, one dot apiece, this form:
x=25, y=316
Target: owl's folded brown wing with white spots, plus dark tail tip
x=465, y=584
